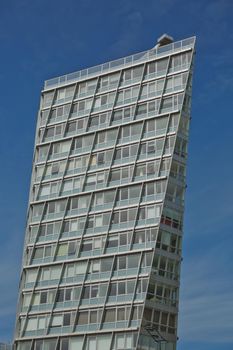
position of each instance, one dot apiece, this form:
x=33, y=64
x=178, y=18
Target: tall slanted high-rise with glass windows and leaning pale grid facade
x=102, y=249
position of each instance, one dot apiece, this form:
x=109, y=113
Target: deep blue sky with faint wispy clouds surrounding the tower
x=41, y=39
